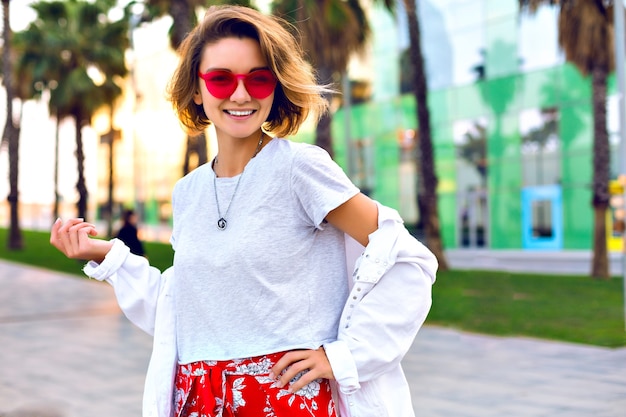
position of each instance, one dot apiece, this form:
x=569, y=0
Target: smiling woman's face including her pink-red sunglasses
x=228, y=66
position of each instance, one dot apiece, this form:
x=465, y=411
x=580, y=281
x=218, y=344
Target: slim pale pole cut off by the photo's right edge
x=618, y=26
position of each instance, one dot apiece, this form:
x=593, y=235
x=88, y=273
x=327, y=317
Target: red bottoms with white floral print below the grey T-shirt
x=243, y=388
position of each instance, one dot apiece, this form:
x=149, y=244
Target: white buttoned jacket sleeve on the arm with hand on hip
x=389, y=300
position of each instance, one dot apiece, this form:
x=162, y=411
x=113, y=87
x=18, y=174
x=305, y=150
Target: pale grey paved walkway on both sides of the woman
x=67, y=351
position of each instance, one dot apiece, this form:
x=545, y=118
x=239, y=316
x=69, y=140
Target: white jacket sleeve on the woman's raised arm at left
x=136, y=284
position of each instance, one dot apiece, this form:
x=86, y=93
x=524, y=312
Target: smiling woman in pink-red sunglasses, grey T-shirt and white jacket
x=257, y=315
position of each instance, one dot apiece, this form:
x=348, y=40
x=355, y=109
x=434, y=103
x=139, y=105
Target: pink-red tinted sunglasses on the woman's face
x=222, y=84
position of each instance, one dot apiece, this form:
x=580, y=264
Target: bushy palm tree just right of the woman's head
x=331, y=32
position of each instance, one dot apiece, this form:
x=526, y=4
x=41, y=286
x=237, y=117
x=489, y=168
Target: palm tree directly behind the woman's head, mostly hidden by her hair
x=184, y=18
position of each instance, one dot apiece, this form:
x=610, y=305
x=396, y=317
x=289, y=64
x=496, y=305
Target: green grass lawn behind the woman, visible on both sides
x=566, y=308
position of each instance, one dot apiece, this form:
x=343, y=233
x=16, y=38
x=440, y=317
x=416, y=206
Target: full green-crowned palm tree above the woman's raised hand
x=77, y=39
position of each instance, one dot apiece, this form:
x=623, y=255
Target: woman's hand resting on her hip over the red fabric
x=314, y=363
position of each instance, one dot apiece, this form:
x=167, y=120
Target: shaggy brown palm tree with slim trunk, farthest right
x=586, y=37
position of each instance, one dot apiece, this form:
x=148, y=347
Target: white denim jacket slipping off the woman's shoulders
x=389, y=300
